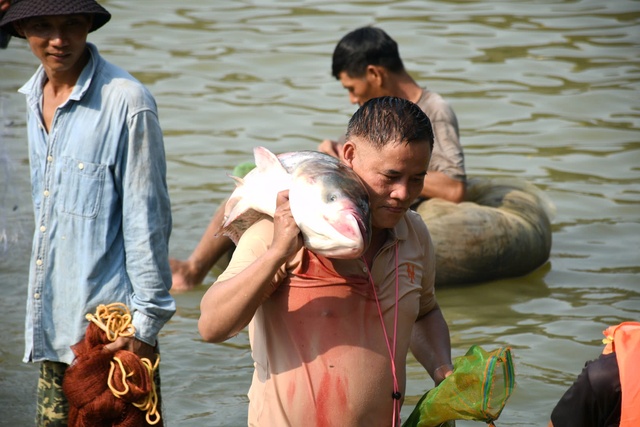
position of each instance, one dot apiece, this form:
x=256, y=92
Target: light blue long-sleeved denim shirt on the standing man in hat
x=102, y=210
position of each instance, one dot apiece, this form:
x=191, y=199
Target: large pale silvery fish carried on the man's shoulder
x=328, y=201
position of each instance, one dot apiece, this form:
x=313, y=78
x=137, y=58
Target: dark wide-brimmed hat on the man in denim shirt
x=23, y=9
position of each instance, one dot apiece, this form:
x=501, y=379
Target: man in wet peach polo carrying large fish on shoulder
x=329, y=337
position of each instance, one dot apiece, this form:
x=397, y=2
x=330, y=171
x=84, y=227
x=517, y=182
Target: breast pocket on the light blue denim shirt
x=81, y=186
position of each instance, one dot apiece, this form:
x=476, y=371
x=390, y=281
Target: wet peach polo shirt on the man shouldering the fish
x=319, y=351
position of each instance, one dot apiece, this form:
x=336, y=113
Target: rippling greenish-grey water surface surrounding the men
x=545, y=91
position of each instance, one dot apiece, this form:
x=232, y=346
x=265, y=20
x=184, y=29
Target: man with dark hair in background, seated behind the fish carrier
x=367, y=63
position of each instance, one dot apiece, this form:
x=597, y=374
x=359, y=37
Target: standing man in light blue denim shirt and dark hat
x=101, y=204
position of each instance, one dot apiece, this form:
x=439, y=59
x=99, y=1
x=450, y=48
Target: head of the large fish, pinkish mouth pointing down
x=331, y=207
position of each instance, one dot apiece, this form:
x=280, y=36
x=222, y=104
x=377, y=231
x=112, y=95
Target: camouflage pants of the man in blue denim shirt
x=52, y=406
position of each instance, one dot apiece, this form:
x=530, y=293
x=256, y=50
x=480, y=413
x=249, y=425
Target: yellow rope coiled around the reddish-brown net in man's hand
x=115, y=320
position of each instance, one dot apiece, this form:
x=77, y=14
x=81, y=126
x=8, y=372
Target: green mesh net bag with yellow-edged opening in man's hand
x=477, y=390
